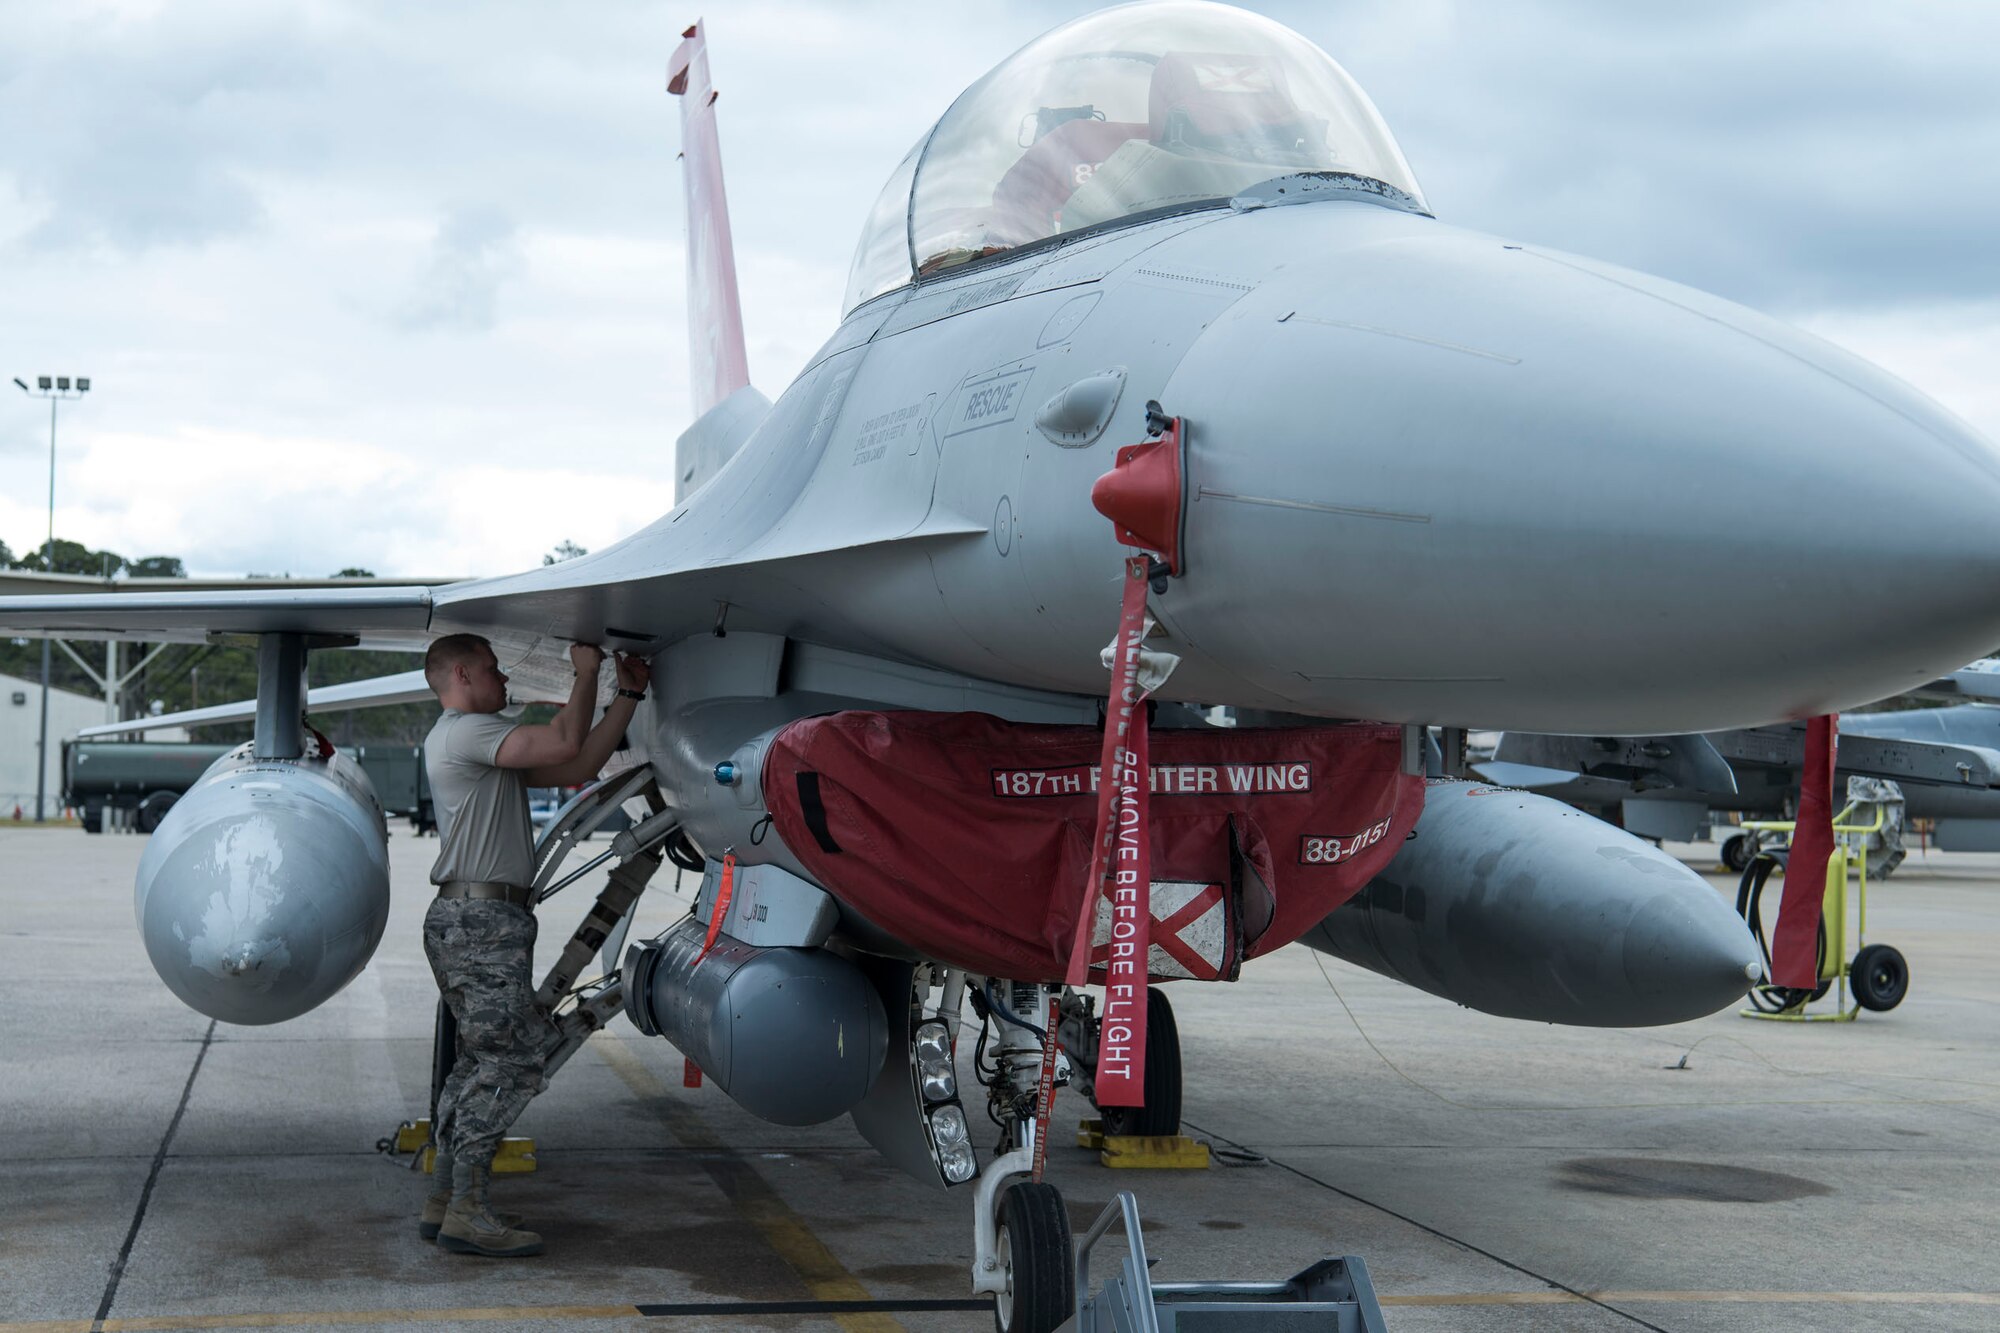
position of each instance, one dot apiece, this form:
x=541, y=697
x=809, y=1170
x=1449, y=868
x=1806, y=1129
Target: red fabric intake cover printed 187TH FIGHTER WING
x=969, y=838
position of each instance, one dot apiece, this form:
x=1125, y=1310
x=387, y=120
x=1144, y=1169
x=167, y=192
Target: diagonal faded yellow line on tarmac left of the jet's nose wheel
x=753, y=1196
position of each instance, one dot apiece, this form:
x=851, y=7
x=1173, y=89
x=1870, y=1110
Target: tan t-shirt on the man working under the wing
x=483, y=812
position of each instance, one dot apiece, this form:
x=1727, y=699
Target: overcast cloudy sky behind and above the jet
x=401, y=285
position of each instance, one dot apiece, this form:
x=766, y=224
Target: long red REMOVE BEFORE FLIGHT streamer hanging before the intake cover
x=1121, y=866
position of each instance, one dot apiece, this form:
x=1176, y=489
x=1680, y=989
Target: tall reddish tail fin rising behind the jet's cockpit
x=715, y=313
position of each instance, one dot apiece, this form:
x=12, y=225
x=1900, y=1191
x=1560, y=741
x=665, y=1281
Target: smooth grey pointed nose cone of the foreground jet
x=1475, y=483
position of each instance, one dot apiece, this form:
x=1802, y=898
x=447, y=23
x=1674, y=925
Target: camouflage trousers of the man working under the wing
x=483, y=956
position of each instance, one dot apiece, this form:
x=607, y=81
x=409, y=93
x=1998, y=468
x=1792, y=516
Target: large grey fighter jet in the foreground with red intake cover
x=1159, y=283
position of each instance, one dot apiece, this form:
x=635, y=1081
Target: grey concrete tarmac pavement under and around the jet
x=161, y=1172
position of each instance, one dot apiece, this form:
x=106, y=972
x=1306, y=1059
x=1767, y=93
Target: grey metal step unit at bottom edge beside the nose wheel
x=1333, y=1296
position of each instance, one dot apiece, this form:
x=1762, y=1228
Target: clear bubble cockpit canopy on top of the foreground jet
x=1115, y=115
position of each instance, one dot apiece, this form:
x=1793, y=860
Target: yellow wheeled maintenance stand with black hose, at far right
x=1875, y=976
